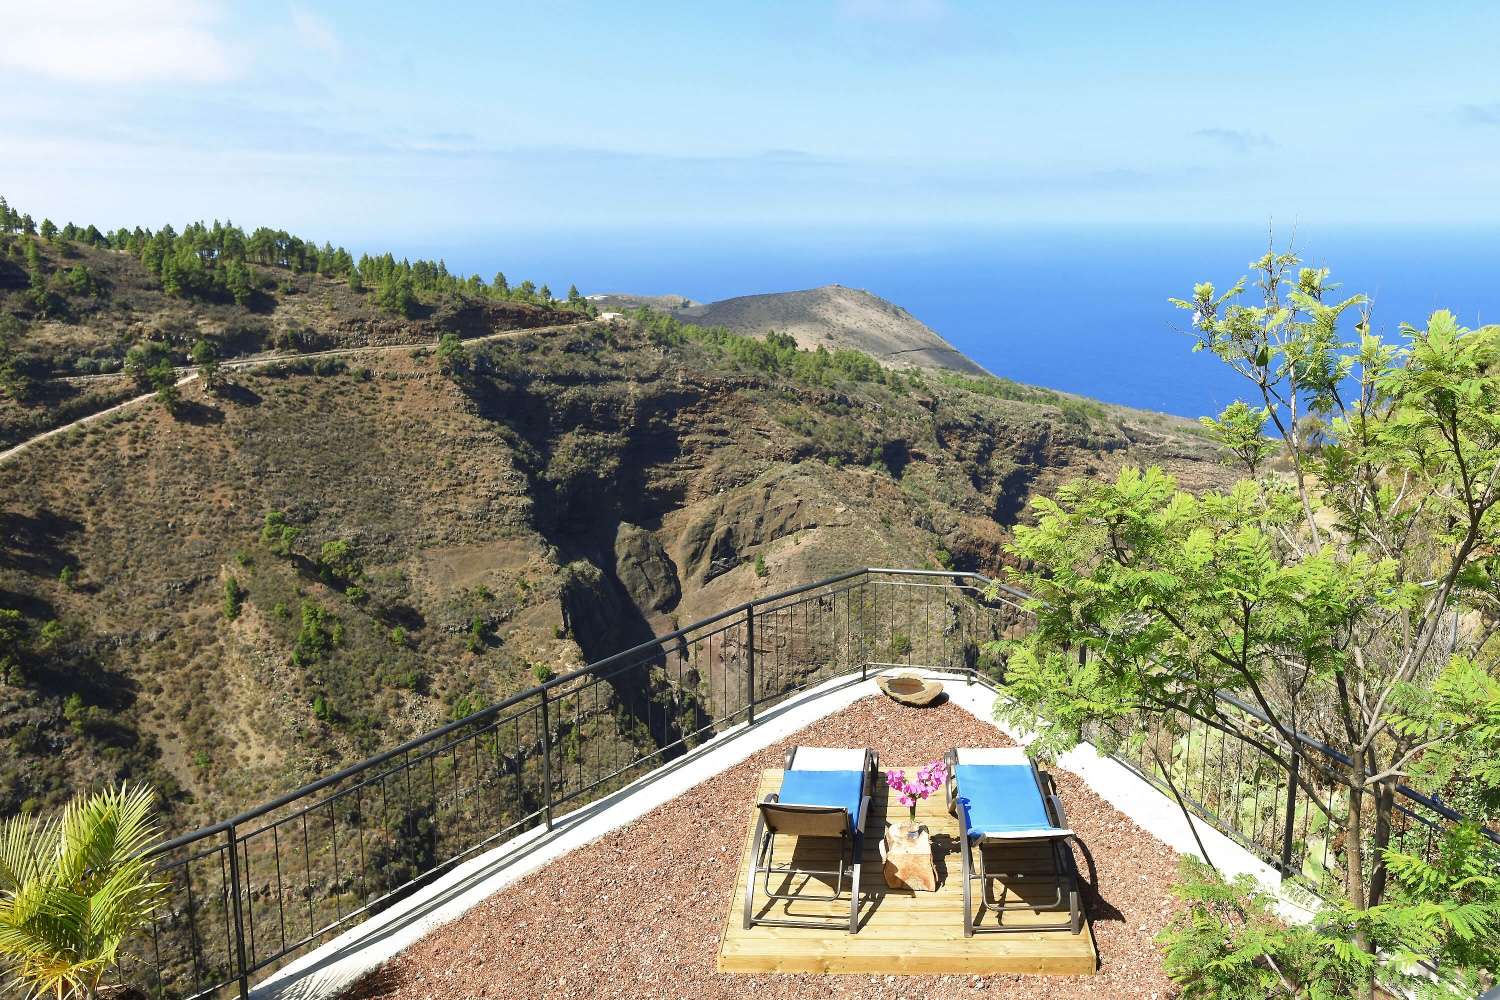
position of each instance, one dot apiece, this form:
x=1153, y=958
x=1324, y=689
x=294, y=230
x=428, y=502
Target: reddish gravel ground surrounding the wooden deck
x=596, y=923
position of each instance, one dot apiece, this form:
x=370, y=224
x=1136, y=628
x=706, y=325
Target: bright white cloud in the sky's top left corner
x=119, y=43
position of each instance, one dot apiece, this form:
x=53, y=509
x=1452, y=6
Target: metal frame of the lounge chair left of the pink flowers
x=788, y=819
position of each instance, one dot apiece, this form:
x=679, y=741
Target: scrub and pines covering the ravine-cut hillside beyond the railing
x=284, y=569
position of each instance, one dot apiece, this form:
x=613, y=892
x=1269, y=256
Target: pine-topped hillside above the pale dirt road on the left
x=91, y=319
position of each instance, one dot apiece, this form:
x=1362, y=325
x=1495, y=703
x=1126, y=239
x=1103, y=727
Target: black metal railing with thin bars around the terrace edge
x=256, y=891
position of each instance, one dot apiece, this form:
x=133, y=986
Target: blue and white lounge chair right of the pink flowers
x=1003, y=800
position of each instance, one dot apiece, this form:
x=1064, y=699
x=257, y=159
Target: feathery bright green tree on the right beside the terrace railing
x=1346, y=587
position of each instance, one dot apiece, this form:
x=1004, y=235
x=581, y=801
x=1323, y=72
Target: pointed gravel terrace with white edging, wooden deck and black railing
x=589, y=837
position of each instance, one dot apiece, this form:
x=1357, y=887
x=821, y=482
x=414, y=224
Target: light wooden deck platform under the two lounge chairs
x=901, y=932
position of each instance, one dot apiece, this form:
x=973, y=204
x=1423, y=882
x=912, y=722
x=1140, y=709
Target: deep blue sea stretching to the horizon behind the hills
x=1072, y=308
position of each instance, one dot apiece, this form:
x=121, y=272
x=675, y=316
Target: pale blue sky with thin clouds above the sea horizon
x=358, y=121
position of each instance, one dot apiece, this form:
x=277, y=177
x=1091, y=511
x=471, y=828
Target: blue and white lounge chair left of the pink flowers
x=824, y=794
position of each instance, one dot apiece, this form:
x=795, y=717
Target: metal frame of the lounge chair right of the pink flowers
x=1064, y=878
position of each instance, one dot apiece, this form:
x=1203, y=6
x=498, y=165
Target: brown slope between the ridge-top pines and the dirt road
x=68, y=359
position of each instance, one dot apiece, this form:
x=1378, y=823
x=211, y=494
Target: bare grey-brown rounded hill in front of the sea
x=832, y=317
